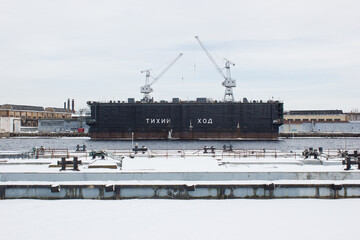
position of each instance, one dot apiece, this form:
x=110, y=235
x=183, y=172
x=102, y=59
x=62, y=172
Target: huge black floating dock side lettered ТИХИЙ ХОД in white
x=185, y=121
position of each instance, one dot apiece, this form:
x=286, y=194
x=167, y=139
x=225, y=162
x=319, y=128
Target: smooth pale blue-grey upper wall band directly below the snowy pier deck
x=177, y=176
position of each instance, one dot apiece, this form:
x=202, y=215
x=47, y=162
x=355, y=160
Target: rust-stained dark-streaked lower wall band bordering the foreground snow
x=179, y=191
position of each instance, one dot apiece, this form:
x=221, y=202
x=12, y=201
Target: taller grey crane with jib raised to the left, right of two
x=228, y=82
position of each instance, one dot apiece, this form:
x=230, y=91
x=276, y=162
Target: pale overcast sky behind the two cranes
x=304, y=53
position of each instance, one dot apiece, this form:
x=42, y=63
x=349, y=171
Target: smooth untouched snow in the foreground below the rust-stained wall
x=179, y=219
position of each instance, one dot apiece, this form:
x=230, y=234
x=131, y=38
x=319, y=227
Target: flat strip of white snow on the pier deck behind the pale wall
x=178, y=164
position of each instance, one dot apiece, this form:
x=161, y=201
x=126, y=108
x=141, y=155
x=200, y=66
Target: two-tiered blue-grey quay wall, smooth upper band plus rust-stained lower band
x=180, y=185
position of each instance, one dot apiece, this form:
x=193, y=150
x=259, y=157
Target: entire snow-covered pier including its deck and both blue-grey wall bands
x=190, y=174
